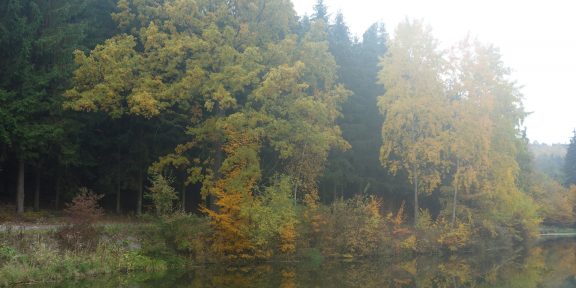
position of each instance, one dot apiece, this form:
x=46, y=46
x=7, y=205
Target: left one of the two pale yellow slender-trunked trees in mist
x=415, y=108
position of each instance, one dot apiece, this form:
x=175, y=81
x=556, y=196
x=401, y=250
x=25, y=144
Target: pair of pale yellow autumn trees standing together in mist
x=452, y=120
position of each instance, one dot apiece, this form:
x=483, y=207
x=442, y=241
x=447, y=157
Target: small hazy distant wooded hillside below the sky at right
x=549, y=159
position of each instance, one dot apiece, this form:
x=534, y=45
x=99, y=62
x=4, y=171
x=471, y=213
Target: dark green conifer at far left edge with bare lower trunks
x=37, y=38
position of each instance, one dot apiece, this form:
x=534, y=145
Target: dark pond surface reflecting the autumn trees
x=549, y=264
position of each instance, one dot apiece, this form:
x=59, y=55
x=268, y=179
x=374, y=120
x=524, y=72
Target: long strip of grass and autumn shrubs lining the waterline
x=353, y=228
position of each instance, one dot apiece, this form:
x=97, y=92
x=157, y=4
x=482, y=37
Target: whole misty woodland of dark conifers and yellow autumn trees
x=275, y=127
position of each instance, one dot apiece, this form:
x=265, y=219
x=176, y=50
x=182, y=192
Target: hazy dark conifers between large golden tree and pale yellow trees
x=356, y=170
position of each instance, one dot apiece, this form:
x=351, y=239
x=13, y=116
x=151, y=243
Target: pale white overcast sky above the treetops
x=536, y=38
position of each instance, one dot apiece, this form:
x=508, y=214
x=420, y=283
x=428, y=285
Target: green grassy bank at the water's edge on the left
x=40, y=257
